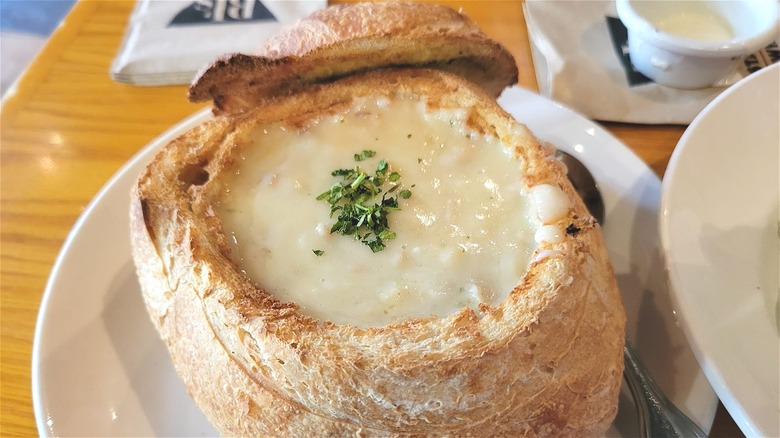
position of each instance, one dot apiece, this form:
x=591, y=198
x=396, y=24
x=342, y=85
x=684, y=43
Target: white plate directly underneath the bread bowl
x=100, y=369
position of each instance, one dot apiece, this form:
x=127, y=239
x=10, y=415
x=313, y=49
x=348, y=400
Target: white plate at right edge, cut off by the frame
x=719, y=230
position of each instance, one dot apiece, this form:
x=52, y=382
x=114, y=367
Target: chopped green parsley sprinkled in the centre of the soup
x=361, y=203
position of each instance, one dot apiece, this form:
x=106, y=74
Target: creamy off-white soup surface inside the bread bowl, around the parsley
x=464, y=237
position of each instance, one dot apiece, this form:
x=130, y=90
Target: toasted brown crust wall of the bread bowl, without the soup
x=546, y=361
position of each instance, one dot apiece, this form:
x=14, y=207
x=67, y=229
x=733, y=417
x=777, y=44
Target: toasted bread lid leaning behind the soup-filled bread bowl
x=352, y=38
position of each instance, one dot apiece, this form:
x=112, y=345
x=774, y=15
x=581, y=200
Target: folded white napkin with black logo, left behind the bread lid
x=168, y=41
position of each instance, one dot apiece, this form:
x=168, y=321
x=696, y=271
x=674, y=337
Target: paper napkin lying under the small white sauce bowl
x=580, y=54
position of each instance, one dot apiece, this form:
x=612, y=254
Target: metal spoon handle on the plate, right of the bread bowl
x=658, y=417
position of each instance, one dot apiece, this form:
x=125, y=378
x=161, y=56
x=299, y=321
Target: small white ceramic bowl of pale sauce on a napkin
x=695, y=43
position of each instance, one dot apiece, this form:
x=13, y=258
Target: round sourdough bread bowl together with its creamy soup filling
x=543, y=357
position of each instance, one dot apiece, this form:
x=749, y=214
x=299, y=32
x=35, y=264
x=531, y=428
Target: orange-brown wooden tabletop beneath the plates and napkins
x=68, y=128
